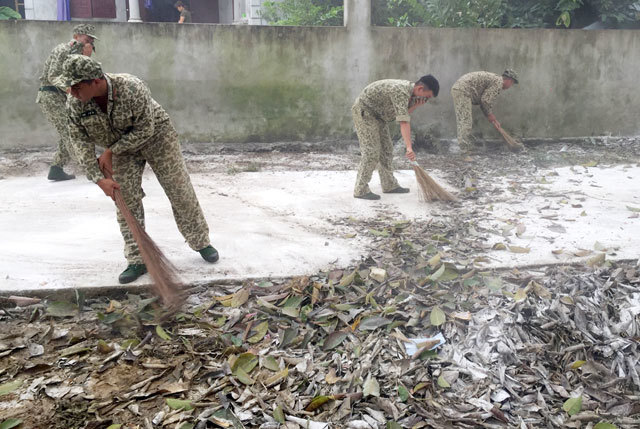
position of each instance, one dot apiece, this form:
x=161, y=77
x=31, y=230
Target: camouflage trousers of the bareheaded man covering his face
x=376, y=149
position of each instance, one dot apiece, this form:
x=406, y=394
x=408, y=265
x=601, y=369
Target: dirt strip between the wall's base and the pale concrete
x=491, y=157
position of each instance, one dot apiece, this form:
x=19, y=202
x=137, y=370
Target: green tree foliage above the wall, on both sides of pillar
x=460, y=13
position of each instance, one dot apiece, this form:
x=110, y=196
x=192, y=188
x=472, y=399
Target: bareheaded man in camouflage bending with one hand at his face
x=378, y=104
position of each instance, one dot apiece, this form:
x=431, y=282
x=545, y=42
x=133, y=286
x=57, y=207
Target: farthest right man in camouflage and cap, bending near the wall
x=478, y=88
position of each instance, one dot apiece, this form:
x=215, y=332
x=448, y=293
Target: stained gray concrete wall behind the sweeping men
x=248, y=83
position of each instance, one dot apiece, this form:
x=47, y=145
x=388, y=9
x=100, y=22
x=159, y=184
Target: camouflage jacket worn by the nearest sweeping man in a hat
x=133, y=120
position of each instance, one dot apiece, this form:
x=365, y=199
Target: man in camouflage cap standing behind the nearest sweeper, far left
x=52, y=98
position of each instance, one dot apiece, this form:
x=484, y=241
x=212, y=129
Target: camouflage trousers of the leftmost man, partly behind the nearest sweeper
x=53, y=105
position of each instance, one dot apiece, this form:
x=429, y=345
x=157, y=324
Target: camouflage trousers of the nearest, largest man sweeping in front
x=166, y=161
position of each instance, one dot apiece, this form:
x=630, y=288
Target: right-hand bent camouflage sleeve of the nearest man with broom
x=141, y=108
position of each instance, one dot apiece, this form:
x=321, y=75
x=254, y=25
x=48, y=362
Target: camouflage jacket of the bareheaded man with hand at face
x=387, y=99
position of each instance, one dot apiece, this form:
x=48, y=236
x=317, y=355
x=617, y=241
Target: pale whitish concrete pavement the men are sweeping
x=285, y=223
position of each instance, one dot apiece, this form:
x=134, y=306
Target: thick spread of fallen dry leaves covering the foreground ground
x=418, y=334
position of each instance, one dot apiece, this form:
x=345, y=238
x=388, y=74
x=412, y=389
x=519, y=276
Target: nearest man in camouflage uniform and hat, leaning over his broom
x=116, y=111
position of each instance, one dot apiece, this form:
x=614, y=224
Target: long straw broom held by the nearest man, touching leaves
x=166, y=283
